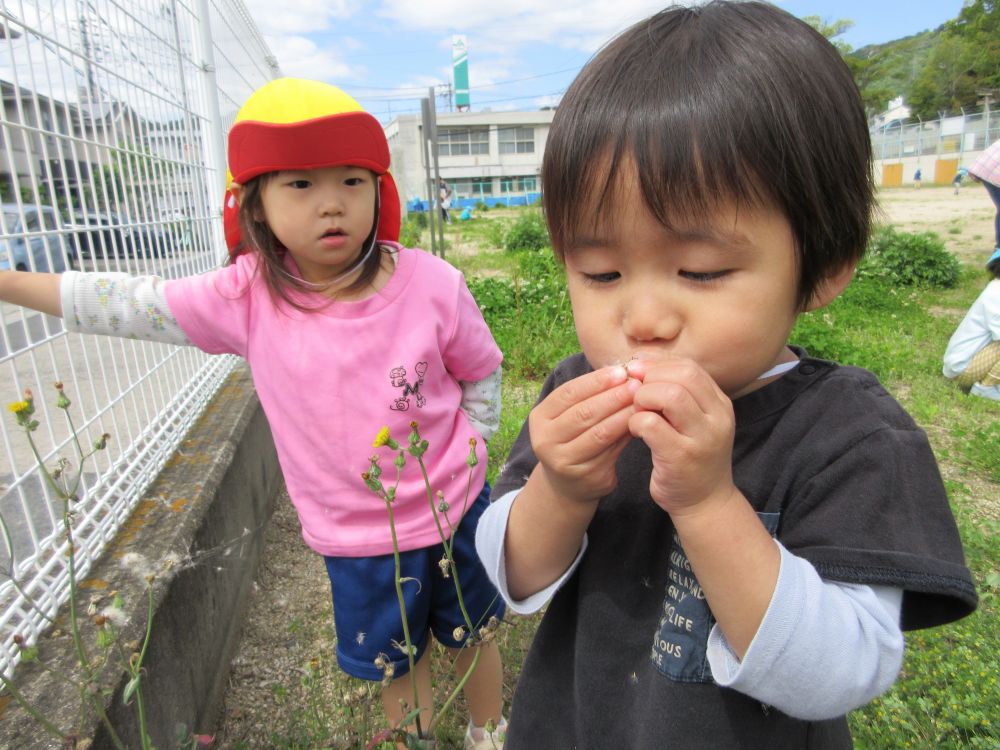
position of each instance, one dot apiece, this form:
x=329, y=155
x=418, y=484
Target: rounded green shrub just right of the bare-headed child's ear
x=909, y=259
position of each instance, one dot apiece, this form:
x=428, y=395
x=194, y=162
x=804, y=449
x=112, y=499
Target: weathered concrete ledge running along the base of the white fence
x=199, y=531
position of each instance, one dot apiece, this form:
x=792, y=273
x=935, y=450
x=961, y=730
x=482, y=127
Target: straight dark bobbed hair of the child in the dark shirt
x=730, y=102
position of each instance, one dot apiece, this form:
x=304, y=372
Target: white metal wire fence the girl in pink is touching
x=113, y=123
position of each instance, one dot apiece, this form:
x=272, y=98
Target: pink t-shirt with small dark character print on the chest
x=329, y=379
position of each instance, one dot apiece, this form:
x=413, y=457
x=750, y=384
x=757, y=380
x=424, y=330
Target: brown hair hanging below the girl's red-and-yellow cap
x=256, y=235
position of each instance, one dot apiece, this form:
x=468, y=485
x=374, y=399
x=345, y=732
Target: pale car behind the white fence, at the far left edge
x=29, y=239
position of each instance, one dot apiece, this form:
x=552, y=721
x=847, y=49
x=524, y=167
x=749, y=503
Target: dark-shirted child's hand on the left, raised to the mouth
x=580, y=429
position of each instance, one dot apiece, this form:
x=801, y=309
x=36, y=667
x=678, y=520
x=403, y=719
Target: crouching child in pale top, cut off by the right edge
x=972, y=357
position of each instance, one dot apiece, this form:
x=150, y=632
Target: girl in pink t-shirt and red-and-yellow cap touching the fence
x=345, y=331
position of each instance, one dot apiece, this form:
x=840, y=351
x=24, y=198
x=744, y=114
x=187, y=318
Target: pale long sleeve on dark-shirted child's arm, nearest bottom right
x=845, y=632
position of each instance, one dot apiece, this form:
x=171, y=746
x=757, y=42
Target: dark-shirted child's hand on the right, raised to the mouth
x=688, y=424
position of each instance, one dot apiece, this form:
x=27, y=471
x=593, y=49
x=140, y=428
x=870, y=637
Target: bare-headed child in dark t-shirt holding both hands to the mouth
x=732, y=533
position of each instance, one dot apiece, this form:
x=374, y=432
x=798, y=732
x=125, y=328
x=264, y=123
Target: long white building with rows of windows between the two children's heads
x=493, y=157
